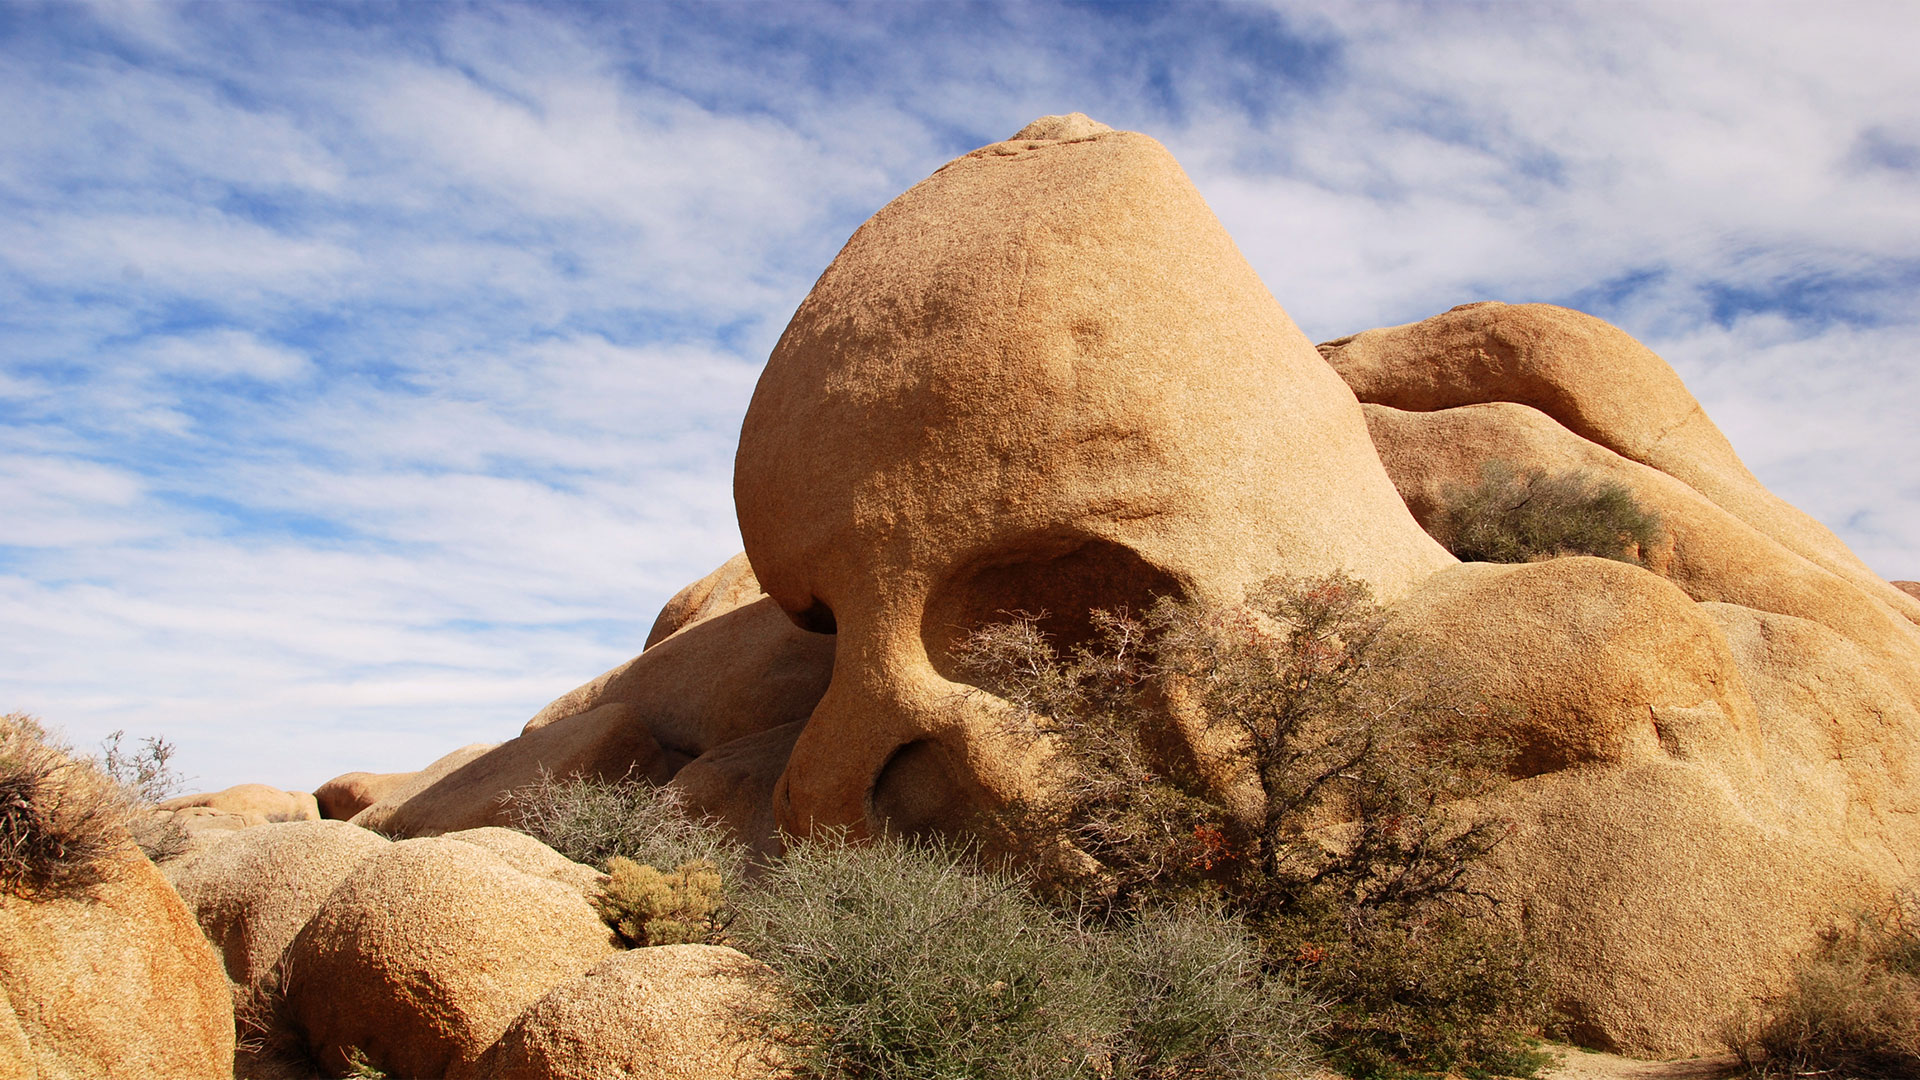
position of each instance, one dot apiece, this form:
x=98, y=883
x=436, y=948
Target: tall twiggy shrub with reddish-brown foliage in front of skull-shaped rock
x=1355, y=868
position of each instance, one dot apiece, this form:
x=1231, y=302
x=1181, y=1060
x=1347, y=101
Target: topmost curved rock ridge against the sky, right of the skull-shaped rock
x=1598, y=383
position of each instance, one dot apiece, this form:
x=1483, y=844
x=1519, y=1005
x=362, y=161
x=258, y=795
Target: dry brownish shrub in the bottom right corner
x=1854, y=1008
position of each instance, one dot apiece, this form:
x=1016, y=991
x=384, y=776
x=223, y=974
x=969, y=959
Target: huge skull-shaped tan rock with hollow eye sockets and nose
x=1044, y=380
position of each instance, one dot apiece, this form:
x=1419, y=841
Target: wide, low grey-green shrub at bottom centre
x=907, y=962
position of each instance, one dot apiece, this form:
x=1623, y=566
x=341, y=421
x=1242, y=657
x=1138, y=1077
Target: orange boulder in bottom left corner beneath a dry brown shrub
x=114, y=983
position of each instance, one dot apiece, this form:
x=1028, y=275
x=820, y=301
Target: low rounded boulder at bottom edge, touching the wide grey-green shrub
x=667, y=1014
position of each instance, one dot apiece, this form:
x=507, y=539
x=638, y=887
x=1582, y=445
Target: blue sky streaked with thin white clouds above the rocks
x=370, y=374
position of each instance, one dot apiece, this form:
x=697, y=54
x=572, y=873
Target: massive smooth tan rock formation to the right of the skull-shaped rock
x=1712, y=764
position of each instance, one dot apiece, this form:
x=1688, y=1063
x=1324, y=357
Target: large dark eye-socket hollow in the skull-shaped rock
x=1063, y=577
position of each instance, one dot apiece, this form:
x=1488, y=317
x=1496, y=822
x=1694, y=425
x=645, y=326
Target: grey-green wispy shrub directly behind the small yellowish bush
x=594, y=822
